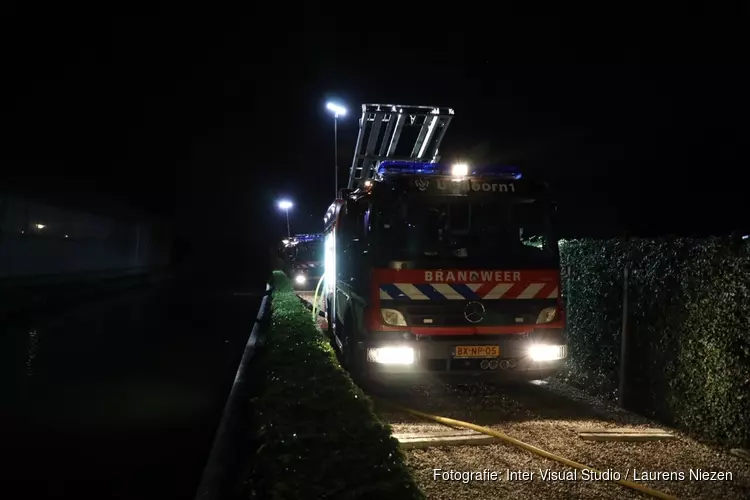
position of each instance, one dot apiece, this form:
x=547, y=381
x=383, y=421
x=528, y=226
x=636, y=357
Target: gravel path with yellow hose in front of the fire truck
x=547, y=416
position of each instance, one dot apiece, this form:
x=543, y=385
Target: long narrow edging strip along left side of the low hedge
x=214, y=478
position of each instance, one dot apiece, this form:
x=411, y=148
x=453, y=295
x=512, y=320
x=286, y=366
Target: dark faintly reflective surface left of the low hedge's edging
x=120, y=398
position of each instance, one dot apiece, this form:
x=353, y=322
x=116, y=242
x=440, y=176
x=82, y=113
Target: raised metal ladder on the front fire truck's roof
x=396, y=132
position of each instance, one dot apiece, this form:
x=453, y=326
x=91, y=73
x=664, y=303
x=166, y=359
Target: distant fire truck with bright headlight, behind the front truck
x=303, y=255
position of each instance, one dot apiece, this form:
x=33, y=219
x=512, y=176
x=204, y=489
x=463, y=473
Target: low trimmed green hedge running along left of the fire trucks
x=317, y=435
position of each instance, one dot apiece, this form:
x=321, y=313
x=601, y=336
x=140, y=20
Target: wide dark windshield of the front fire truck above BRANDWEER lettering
x=460, y=230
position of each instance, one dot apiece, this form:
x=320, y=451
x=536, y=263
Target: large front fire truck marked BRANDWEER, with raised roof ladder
x=434, y=269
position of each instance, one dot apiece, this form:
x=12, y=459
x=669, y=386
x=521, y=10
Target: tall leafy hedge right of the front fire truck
x=688, y=328
